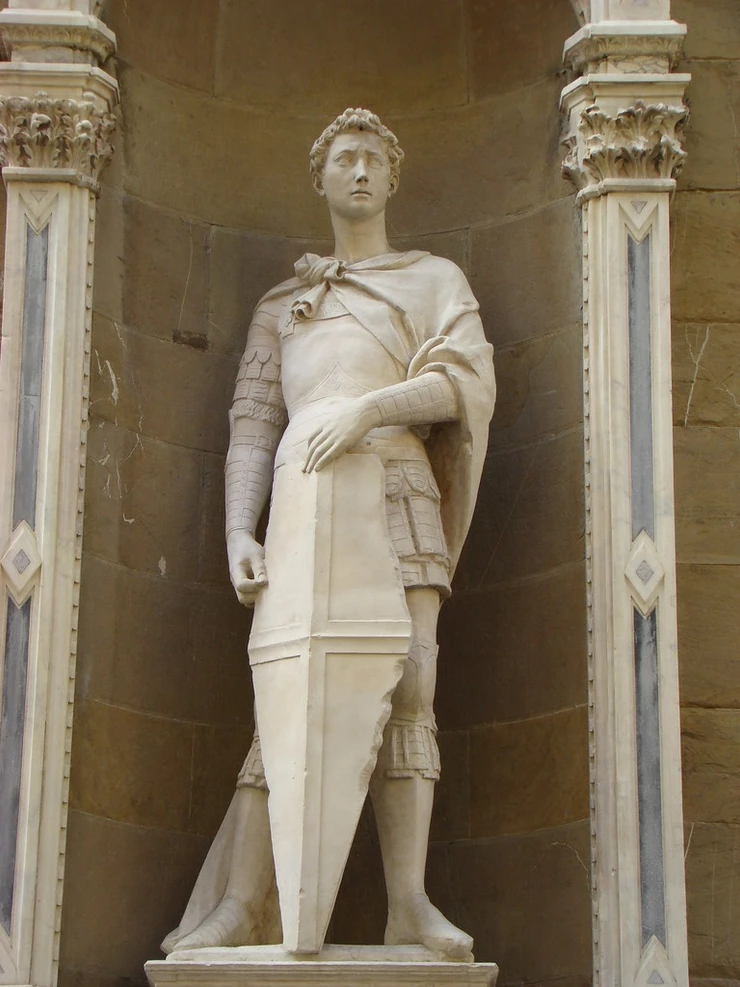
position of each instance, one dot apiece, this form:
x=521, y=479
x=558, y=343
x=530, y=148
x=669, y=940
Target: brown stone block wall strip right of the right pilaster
x=706, y=397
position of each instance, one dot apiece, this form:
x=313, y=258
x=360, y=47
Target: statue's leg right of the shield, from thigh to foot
x=402, y=791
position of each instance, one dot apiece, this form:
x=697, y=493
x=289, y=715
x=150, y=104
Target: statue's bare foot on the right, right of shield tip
x=415, y=921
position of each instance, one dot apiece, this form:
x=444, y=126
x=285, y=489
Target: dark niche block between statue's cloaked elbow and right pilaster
x=539, y=387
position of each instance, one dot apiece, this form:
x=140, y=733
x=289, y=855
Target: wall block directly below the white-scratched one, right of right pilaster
x=707, y=476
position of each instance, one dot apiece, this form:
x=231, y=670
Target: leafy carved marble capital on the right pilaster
x=638, y=143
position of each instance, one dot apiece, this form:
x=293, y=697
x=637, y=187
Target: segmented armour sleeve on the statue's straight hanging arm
x=257, y=418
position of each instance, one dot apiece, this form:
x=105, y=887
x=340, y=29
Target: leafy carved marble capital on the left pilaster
x=48, y=133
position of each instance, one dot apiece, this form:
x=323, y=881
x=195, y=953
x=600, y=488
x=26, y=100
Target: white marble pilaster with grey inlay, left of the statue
x=55, y=126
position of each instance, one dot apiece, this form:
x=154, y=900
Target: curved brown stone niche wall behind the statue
x=206, y=205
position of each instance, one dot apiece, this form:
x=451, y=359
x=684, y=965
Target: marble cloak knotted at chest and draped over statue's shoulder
x=421, y=310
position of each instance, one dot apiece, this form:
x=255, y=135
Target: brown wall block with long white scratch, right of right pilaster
x=706, y=374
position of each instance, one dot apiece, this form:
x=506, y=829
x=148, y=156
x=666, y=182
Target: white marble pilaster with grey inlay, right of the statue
x=625, y=116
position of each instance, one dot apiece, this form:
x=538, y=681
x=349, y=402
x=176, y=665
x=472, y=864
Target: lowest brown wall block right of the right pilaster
x=712, y=876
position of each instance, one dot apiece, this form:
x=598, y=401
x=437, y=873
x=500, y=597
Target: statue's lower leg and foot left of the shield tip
x=240, y=917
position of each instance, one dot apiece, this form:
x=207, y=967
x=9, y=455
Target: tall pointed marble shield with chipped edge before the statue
x=330, y=634
